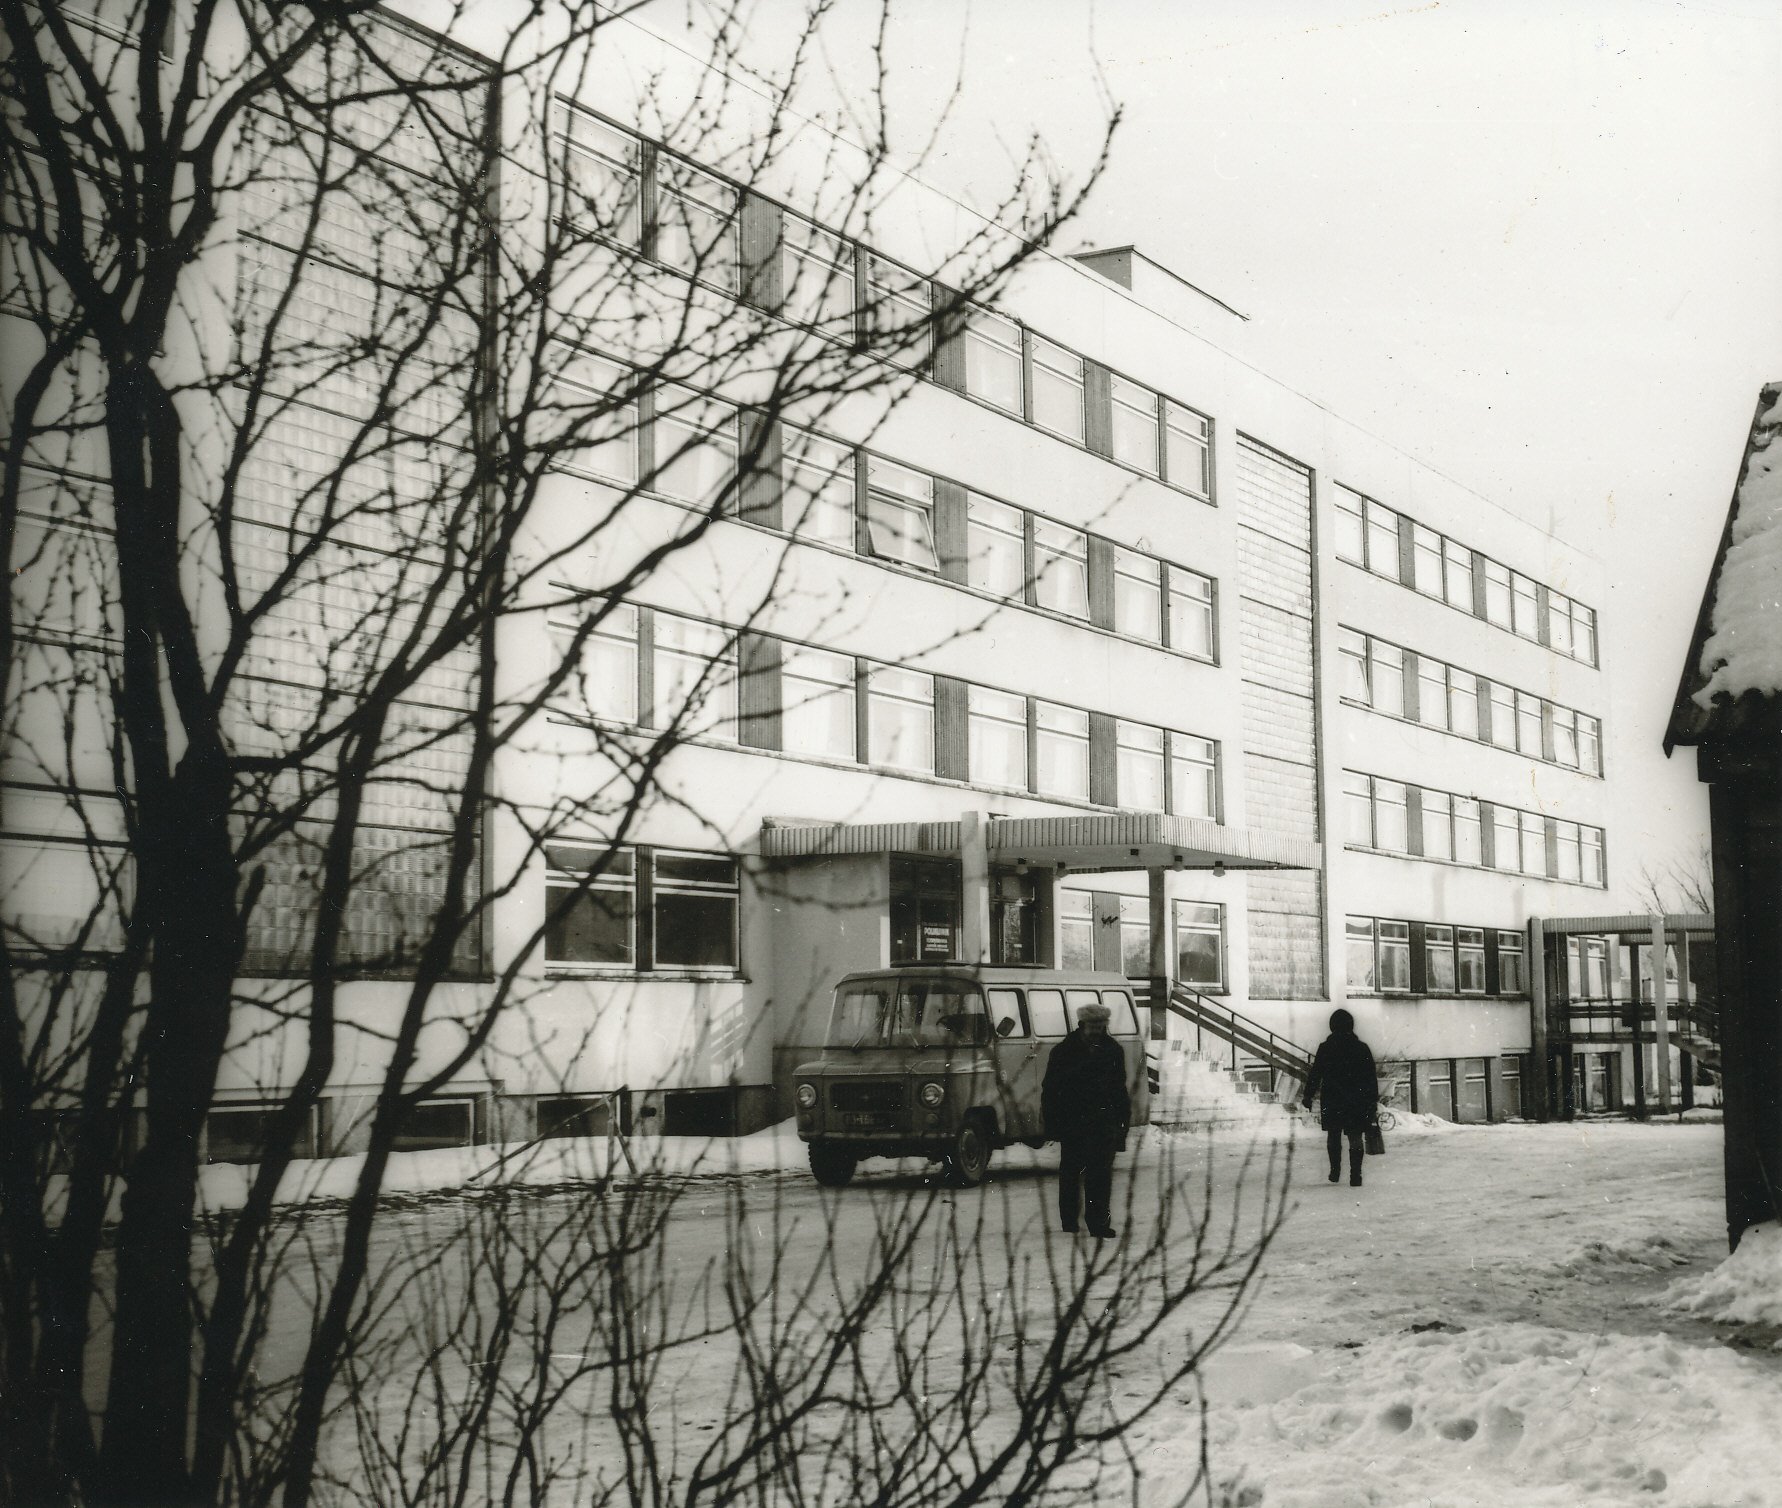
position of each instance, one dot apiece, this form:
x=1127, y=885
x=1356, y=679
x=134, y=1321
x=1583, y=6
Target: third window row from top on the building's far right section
x=1377, y=819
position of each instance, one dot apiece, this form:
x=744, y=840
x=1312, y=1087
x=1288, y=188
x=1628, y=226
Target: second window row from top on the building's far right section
x=1373, y=675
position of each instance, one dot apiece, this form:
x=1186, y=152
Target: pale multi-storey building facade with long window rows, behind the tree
x=1099, y=646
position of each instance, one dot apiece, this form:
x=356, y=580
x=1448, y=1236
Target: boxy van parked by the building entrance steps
x=947, y=1061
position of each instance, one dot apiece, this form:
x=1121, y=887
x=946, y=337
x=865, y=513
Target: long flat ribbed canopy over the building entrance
x=1079, y=842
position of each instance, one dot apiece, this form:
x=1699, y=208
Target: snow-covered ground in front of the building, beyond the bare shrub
x=1519, y=1315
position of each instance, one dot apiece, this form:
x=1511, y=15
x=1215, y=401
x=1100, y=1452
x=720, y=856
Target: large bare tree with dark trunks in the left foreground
x=307, y=313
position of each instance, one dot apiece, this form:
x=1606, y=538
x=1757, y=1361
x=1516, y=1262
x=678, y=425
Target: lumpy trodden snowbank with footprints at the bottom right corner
x=1505, y=1416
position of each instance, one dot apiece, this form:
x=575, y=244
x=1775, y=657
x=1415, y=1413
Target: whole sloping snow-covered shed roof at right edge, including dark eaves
x=1733, y=676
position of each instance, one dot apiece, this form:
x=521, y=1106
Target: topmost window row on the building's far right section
x=1373, y=537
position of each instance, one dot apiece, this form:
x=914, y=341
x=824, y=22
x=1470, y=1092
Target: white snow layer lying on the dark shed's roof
x=1744, y=652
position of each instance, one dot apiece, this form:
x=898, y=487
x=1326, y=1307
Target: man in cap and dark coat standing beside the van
x=1088, y=1110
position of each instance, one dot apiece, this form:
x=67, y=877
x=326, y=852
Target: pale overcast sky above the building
x=1535, y=245
